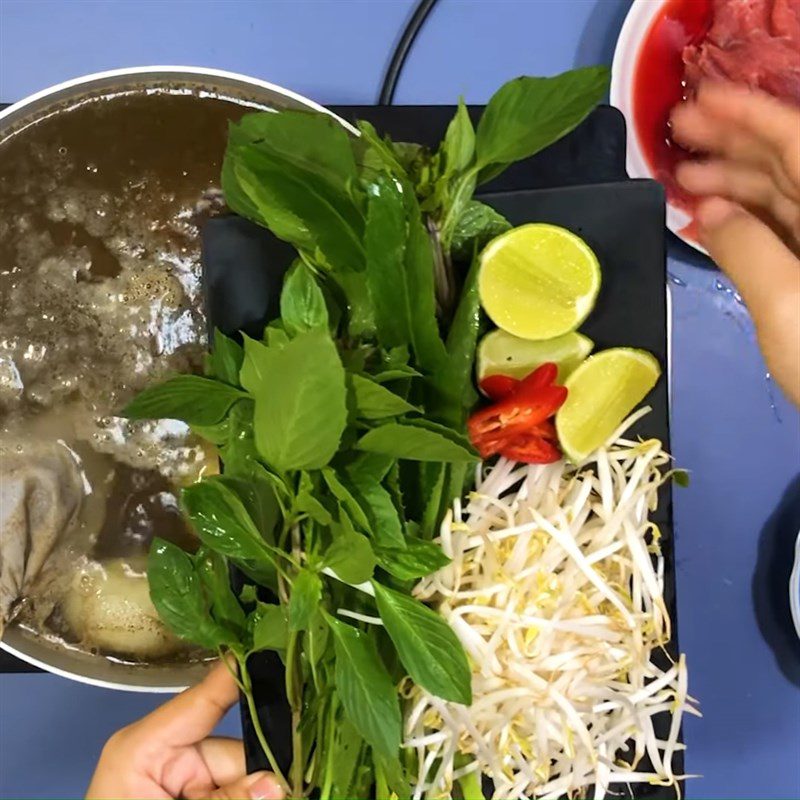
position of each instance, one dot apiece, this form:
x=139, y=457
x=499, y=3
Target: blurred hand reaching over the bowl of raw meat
x=749, y=214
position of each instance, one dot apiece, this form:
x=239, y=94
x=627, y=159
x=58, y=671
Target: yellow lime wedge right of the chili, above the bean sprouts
x=602, y=392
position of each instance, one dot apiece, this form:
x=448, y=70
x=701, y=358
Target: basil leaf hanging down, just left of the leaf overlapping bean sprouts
x=365, y=688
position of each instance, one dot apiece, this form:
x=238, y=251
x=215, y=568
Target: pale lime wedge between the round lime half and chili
x=502, y=353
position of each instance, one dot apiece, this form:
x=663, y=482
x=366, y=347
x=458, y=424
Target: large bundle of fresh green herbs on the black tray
x=342, y=431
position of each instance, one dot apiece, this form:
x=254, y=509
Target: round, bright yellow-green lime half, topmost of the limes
x=538, y=281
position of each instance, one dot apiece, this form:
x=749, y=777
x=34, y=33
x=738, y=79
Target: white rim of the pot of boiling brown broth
x=165, y=71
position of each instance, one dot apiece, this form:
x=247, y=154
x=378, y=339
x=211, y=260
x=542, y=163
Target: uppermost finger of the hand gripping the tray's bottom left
x=192, y=715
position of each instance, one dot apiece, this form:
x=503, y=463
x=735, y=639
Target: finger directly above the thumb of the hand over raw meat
x=745, y=185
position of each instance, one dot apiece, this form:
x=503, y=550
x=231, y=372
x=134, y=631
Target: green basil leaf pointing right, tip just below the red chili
x=416, y=442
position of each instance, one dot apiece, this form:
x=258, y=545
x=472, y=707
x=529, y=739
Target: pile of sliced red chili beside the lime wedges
x=519, y=426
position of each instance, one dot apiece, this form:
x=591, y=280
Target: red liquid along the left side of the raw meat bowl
x=658, y=86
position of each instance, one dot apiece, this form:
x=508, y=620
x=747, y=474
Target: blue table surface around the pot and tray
x=731, y=426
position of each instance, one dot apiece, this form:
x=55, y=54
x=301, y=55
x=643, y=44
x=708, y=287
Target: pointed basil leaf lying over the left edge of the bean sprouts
x=426, y=644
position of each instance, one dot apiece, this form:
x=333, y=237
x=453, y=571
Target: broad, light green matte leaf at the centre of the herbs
x=300, y=398
